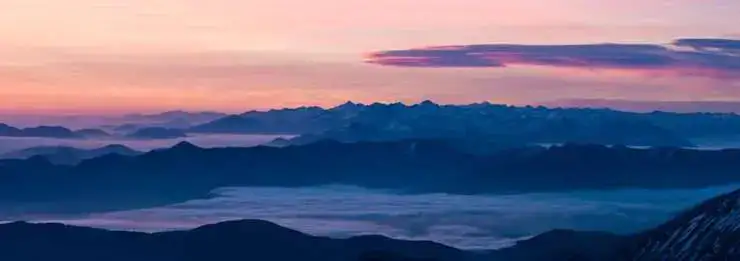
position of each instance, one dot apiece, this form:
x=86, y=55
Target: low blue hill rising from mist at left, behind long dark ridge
x=69, y=155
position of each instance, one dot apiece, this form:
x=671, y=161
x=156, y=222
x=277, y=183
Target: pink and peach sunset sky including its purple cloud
x=116, y=56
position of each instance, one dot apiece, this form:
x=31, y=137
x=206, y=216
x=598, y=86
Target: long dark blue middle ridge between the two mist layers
x=186, y=171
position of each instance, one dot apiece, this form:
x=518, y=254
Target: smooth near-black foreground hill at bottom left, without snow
x=233, y=240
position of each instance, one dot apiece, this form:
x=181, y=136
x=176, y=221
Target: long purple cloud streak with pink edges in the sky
x=716, y=58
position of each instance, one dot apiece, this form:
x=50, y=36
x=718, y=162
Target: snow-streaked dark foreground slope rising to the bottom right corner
x=707, y=232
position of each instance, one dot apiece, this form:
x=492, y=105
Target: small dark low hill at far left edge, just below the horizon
x=49, y=132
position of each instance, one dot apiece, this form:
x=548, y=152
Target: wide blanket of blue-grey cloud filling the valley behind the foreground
x=465, y=221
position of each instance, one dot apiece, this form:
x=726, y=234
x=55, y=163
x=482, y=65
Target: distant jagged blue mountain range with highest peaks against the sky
x=351, y=122
